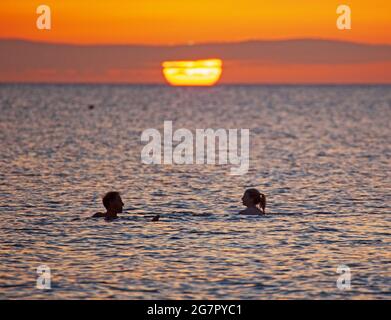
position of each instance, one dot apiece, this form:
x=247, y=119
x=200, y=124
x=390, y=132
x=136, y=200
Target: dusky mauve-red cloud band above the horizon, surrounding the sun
x=27, y=61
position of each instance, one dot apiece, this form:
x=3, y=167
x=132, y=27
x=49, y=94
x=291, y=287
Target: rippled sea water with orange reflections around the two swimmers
x=322, y=155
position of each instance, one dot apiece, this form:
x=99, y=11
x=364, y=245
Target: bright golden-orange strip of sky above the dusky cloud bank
x=180, y=21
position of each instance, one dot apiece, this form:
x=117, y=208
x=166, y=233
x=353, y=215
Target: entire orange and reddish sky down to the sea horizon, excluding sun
x=165, y=22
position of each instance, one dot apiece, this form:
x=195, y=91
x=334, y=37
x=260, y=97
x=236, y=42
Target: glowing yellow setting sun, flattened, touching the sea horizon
x=193, y=73
